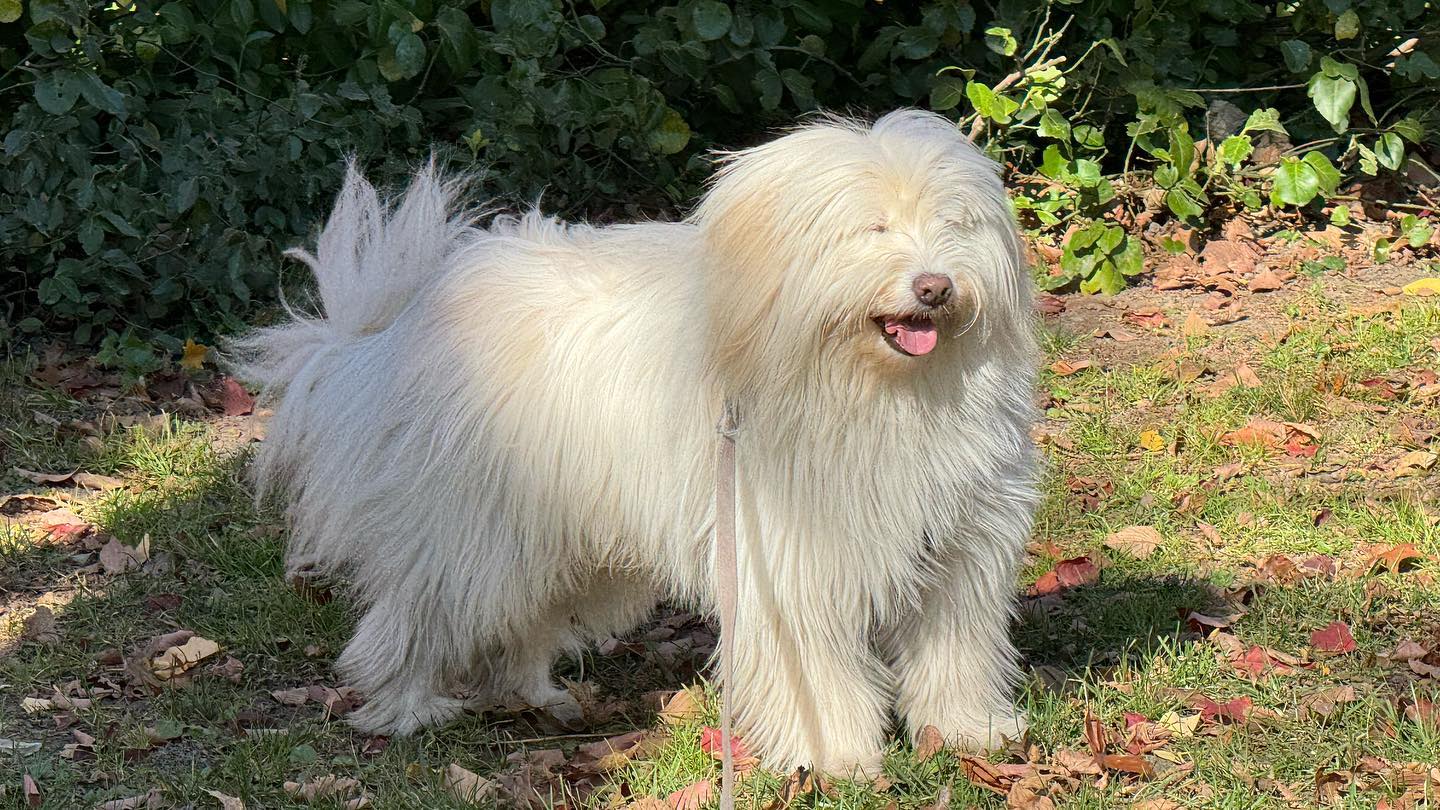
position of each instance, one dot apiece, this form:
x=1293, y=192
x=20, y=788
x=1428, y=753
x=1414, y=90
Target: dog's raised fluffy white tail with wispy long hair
x=369, y=263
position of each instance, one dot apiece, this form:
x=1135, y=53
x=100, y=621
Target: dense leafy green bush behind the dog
x=158, y=156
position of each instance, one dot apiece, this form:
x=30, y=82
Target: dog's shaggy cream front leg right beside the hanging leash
x=809, y=691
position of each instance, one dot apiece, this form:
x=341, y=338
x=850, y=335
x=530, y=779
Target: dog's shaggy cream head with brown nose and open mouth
x=892, y=246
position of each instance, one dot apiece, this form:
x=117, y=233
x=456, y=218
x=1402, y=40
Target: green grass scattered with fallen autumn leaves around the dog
x=1104, y=649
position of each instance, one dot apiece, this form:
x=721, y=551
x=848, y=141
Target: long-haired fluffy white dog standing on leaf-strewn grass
x=505, y=437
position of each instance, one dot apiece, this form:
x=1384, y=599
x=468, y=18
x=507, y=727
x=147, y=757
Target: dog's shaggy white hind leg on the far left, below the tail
x=400, y=667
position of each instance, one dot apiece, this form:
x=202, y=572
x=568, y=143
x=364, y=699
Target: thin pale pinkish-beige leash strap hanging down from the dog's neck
x=726, y=587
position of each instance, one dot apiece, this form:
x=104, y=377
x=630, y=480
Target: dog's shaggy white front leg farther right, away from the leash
x=954, y=659
